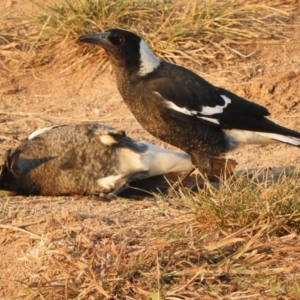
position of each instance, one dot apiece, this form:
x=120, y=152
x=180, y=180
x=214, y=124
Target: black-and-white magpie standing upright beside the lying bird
x=181, y=108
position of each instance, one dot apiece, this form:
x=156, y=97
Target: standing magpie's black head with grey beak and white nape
x=125, y=49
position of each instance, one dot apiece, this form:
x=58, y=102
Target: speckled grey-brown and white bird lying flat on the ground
x=91, y=159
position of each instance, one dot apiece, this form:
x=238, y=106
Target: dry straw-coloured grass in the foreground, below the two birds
x=228, y=243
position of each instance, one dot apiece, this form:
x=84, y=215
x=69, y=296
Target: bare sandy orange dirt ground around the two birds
x=50, y=95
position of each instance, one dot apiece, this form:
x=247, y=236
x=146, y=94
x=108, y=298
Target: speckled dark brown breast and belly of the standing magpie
x=157, y=119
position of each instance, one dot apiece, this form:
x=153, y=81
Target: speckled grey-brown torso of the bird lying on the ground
x=63, y=160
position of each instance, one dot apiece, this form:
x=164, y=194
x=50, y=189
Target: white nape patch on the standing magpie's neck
x=148, y=61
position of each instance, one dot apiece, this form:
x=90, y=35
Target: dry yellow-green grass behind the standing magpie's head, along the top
x=197, y=33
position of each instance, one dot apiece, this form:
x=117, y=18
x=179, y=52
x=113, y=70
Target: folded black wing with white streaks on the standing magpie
x=192, y=99
